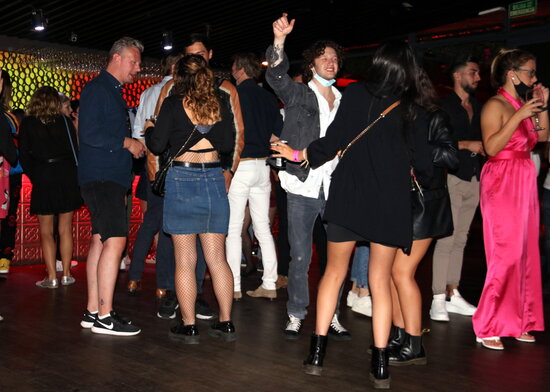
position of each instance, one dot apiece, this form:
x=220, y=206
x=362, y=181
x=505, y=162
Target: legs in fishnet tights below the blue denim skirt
x=213, y=246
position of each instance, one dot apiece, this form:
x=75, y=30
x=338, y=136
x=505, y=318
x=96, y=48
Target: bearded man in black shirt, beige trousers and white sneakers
x=465, y=112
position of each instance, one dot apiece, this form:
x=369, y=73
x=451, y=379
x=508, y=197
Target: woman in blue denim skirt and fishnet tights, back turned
x=196, y=126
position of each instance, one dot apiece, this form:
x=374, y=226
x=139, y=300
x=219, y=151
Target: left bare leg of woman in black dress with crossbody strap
x=339, y=254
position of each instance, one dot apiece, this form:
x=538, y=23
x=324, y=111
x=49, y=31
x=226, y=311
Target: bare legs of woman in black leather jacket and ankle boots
x=409, y=299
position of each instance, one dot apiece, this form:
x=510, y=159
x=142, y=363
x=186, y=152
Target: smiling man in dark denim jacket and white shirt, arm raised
x=309, y=109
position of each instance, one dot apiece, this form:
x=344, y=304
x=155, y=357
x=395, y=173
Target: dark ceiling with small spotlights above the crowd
x=234, y=26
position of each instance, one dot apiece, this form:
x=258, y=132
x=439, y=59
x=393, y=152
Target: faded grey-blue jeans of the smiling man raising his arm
x=302, y=213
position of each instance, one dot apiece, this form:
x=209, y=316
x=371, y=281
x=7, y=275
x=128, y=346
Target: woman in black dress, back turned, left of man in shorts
x=48, y=153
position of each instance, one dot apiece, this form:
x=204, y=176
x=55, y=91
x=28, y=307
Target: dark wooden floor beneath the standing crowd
x=43, y=348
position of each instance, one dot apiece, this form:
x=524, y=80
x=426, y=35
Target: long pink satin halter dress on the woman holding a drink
x=511, y=301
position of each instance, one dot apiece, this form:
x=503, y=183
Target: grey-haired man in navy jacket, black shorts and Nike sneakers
x=104, y=173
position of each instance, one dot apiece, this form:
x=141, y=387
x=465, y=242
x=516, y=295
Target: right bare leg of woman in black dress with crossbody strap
x=380, y=267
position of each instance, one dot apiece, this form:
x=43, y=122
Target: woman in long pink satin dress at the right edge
x=511, y=302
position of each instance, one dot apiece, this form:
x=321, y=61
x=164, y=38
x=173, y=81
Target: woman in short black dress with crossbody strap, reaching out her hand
x=369, y=197
